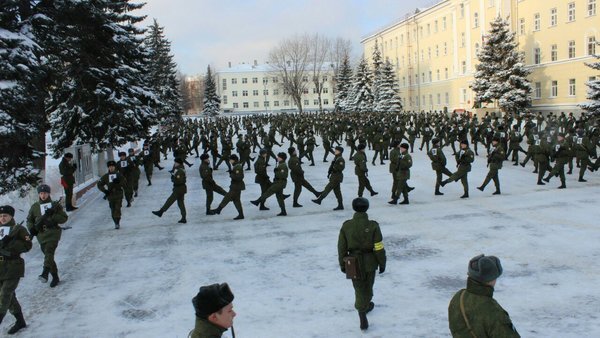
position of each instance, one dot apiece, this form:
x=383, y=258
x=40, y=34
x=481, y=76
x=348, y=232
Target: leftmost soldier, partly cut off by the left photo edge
x=14, y=240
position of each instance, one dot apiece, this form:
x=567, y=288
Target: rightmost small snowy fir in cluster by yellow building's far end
x=387, y=86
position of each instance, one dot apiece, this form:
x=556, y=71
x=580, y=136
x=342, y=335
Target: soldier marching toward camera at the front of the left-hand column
x=111, y=184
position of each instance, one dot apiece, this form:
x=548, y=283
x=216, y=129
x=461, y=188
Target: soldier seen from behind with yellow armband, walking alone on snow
x=361, y=238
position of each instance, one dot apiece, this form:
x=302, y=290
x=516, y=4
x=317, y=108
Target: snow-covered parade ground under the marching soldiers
x=139, y=281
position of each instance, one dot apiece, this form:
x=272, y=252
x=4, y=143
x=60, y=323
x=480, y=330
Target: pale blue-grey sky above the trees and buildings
x=215, y=32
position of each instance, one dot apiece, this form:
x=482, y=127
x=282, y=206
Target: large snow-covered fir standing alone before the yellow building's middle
x=501, y=74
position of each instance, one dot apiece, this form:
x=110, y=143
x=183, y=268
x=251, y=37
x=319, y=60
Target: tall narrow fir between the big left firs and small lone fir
x=162, y=72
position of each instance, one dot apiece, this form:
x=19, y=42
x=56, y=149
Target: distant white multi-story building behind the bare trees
x=257, y=88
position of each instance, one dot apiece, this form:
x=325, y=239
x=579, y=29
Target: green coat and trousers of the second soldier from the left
x=47, y=229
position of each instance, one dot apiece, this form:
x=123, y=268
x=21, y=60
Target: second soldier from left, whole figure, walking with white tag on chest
x=43, y=221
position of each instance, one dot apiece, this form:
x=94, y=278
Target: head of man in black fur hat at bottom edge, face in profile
x=214, y=311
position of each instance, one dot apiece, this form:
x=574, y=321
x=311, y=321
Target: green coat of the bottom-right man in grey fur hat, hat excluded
x=486, y=317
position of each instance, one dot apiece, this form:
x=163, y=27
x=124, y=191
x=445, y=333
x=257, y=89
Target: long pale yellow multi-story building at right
x=435, y=50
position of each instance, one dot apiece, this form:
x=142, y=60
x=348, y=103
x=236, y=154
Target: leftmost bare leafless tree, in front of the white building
x=291, y=60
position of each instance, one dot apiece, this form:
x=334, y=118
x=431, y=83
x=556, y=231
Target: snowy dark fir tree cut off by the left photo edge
x=21, y=100
